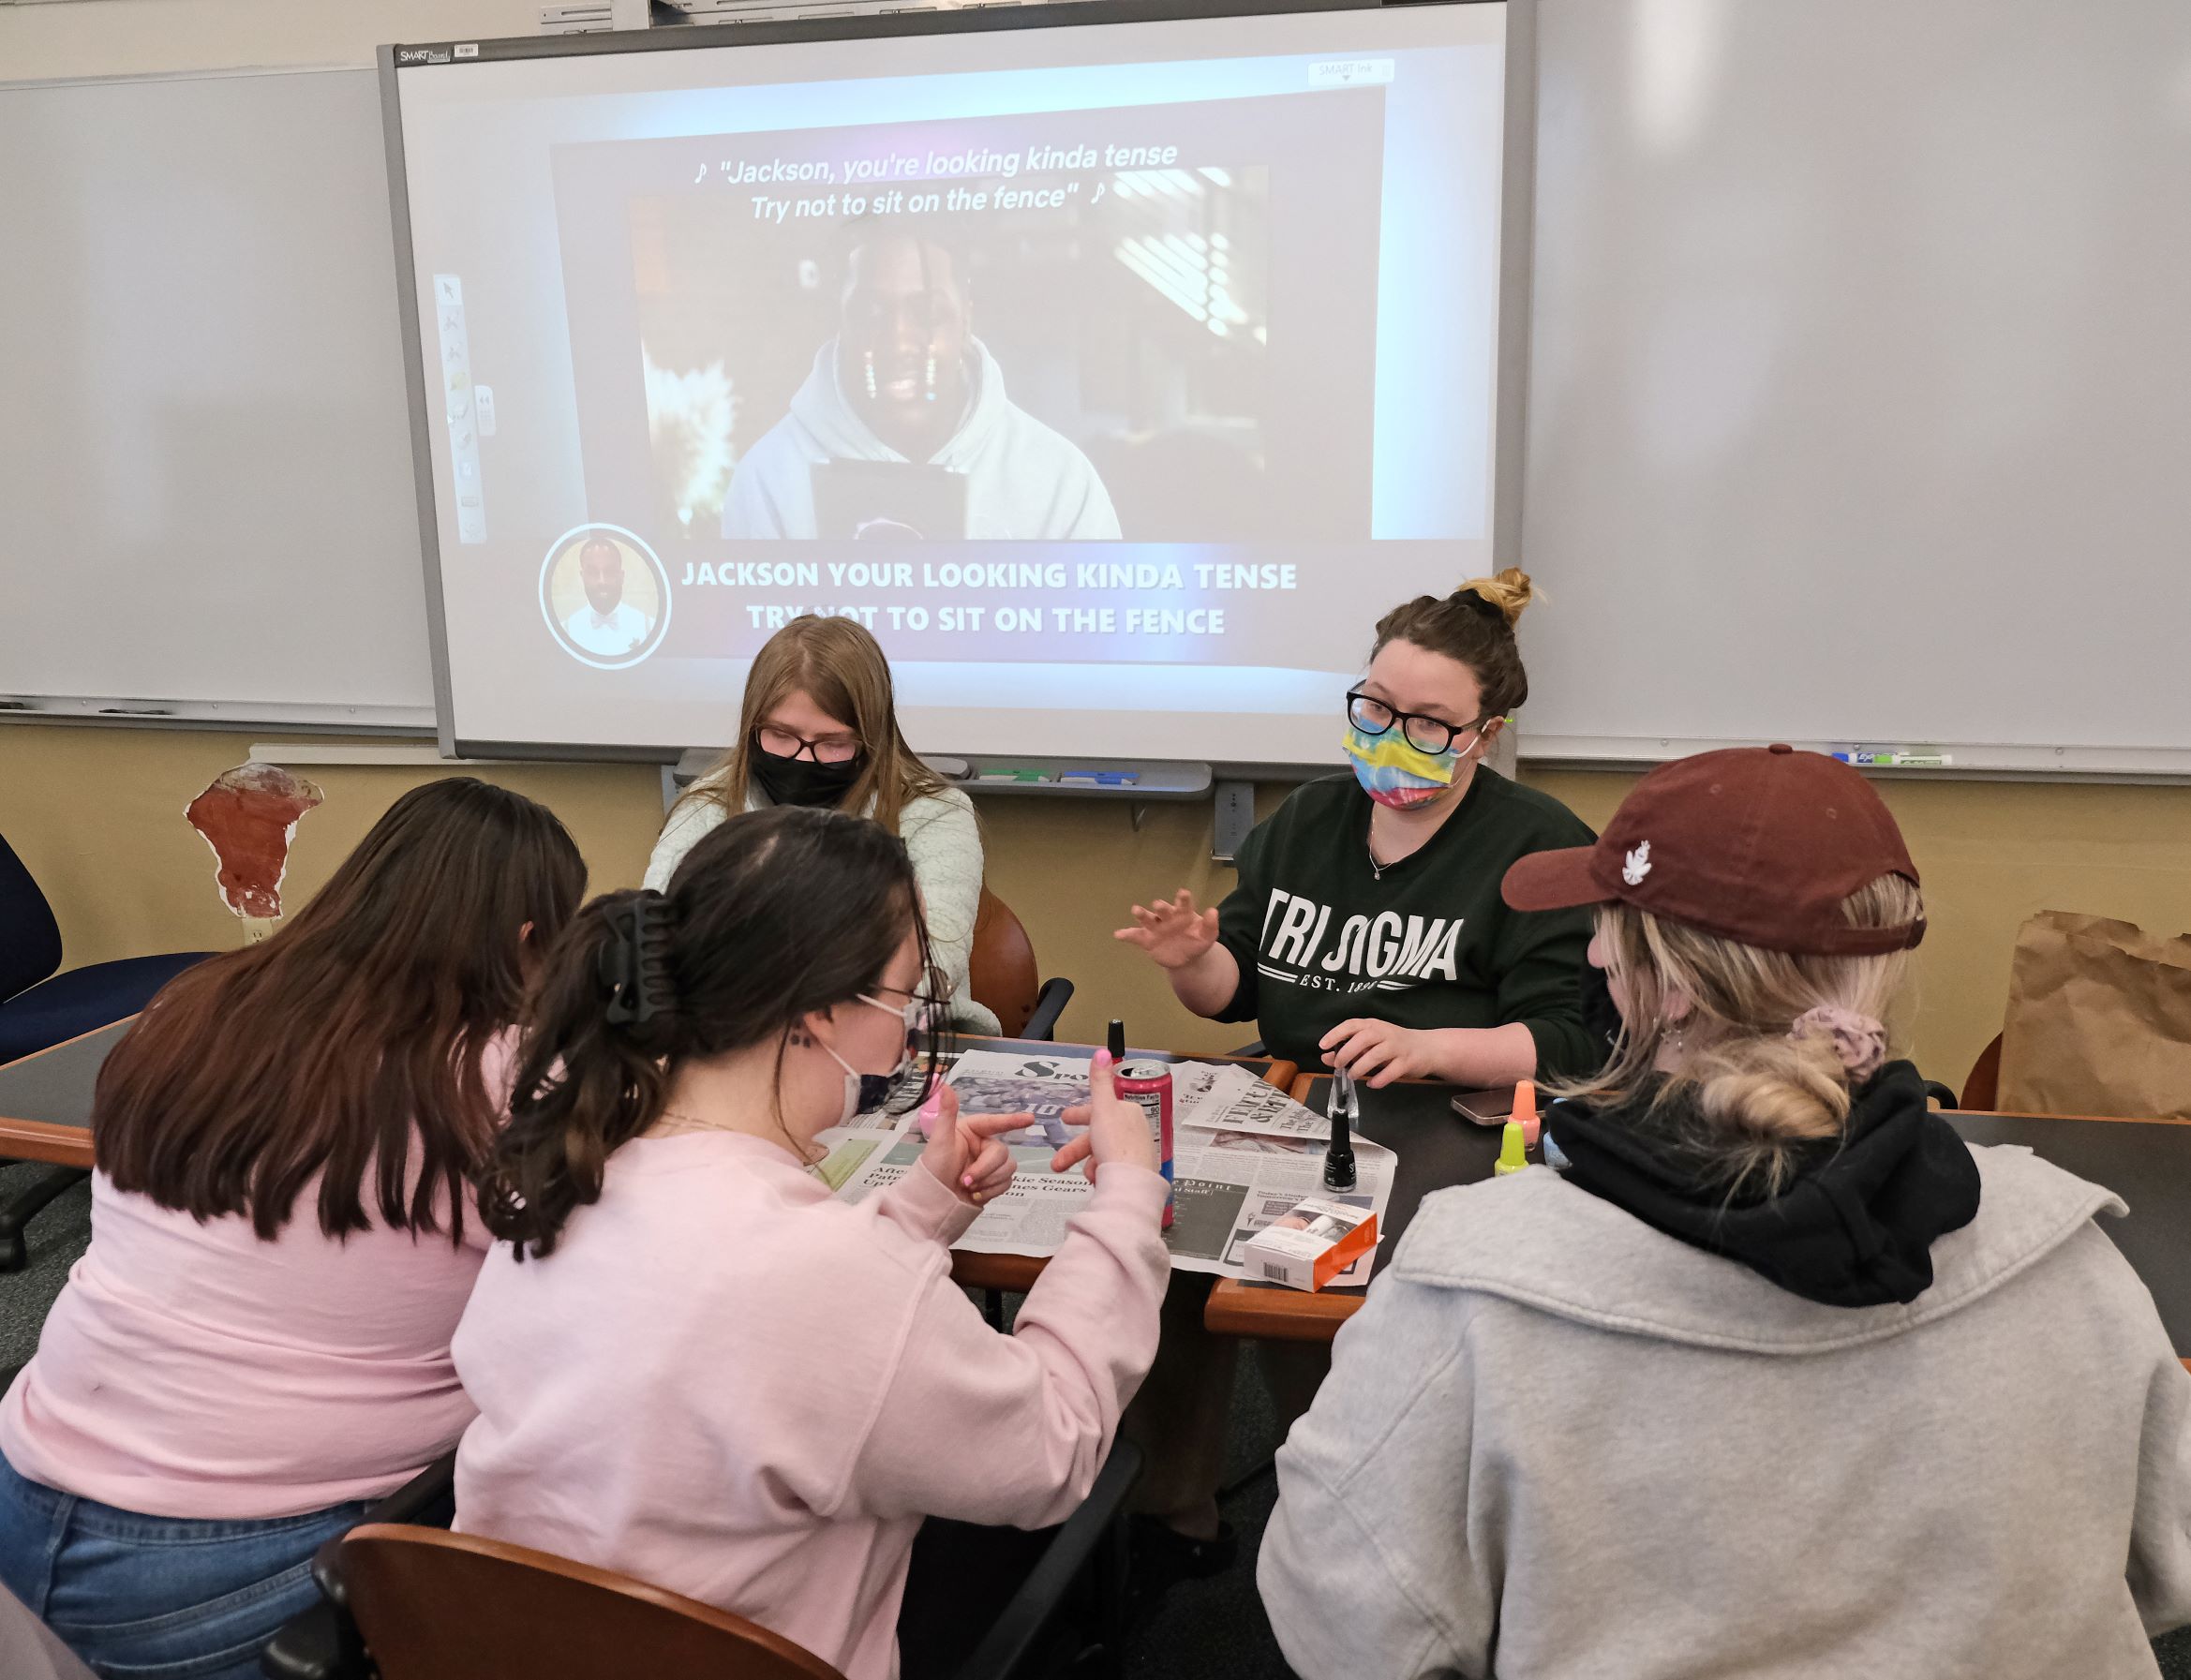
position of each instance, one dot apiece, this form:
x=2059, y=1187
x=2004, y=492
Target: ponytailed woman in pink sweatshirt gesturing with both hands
x=700, y=1368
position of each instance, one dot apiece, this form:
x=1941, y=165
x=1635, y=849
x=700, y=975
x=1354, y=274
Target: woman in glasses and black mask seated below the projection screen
x=821, y=728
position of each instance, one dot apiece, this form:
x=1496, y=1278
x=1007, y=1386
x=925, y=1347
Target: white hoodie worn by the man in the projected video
x=1022, y=479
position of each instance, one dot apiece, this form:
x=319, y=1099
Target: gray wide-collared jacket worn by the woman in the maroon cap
x=1559, y=1445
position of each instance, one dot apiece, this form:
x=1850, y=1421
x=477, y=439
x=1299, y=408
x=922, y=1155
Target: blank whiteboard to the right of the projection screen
x=1861, y=380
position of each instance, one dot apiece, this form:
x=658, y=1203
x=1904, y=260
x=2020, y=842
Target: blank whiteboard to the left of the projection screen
x=207, y=494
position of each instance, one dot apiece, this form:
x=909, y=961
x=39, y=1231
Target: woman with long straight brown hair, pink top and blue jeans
x=257, y=1342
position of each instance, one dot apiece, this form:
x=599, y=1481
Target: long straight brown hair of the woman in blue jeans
x=352, y=1039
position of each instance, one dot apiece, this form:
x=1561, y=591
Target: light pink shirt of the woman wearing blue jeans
x=194, y=1370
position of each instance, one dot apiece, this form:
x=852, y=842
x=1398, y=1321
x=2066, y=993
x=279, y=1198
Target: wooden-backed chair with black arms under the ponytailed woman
x=424, y=1604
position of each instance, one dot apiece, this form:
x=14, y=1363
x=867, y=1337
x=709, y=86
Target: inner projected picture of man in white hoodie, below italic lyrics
x=1088, y=367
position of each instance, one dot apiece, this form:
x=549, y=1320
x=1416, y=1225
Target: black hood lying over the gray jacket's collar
x=1852, y=1230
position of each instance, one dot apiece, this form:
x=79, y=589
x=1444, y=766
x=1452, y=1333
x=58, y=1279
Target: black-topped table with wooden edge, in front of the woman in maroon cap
x=2146, y=1162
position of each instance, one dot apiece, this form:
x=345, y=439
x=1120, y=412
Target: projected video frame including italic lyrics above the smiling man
x=1018, y=330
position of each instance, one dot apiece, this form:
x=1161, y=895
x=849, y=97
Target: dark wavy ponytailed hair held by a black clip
x=772, y=917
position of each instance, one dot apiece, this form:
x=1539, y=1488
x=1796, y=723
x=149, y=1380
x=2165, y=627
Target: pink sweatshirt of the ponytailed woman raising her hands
x=735, y=1388
